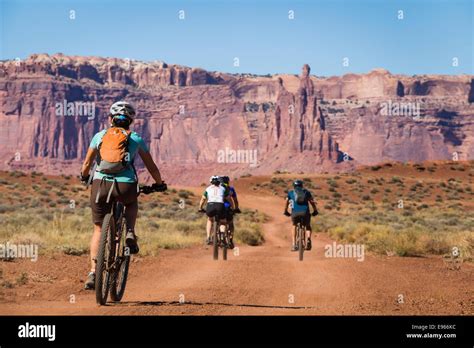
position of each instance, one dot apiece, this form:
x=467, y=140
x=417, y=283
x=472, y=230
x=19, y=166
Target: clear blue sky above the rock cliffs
x=258, y=32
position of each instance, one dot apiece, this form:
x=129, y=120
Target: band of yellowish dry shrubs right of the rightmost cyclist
x=428, y=231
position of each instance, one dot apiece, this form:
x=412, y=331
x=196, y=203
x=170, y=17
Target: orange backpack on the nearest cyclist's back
x=114, y=156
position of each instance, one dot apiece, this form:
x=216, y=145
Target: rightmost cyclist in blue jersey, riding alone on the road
x=299, y=199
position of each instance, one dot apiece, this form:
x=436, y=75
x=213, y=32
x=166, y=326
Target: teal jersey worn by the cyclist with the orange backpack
x=128, y=175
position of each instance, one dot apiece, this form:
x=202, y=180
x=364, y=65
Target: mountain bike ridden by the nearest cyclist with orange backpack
x=113, y=257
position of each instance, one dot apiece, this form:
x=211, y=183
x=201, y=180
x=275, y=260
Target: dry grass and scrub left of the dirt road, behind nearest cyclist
x=37, y=209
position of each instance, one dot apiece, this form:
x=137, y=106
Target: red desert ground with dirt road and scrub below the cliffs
x=410, y=217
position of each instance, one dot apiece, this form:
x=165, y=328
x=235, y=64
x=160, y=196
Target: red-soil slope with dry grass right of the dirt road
x=403, y=209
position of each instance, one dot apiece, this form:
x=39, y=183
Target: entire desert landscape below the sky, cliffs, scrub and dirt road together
x=388, y=158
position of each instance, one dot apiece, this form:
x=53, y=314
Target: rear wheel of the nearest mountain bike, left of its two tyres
x=105, y=259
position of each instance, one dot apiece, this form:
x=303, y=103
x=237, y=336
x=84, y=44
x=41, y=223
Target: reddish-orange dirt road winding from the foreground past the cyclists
x=266, y=280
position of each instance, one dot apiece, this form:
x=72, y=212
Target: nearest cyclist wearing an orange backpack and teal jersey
x=115, y=177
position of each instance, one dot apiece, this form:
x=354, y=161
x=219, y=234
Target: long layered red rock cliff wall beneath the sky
x=197, y=122
